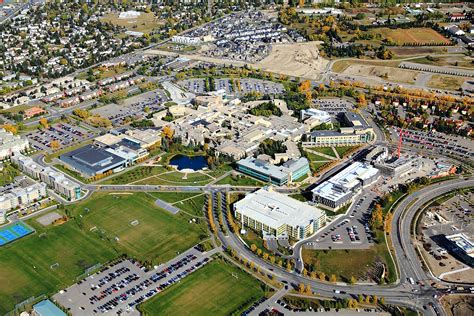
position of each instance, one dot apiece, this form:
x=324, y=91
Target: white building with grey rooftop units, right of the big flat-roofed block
x=339, y=190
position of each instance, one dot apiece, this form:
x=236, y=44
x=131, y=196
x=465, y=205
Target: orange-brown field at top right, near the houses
x=419, y=35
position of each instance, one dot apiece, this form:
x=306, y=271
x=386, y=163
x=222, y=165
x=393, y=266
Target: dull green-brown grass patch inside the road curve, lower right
x=345, y=263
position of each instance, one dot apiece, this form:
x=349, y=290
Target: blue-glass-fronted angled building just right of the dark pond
x=263, y=170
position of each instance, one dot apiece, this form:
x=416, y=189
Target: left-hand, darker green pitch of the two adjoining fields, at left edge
x=26, y=264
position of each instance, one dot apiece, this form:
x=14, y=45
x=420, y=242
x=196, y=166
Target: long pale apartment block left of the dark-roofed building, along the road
x=54, y=179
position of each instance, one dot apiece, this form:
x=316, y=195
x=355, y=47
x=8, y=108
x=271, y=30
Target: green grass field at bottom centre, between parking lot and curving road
x=216, y=289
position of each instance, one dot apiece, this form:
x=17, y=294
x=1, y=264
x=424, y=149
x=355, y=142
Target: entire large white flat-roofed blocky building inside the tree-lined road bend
x=278, y=215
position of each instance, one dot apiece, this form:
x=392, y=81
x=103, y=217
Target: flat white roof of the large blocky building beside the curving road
x=276, y=209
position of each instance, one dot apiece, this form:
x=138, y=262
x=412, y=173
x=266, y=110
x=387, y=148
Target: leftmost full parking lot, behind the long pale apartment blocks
x=65, y=134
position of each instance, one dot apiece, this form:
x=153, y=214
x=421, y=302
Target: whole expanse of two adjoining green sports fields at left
x=25, y=265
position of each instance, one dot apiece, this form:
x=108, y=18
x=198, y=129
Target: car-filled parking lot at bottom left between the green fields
x=120, y=287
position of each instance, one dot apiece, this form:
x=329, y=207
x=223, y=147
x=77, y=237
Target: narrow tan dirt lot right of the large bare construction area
x=387, y=73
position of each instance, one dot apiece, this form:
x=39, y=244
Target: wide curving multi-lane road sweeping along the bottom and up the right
x=402, y=293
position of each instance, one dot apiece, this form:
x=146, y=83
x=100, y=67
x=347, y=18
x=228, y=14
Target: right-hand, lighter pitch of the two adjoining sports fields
x=158, y=235
